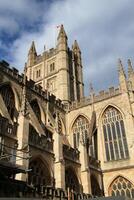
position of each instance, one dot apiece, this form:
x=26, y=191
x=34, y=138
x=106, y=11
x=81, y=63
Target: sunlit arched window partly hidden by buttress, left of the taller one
x=80, y=130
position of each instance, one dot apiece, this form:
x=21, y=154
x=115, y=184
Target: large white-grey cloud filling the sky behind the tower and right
x=104, y=30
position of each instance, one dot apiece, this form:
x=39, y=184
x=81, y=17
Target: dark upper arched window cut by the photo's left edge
x=9, y=100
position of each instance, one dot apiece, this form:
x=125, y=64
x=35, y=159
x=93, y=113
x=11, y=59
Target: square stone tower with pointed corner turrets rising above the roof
x=59, y=70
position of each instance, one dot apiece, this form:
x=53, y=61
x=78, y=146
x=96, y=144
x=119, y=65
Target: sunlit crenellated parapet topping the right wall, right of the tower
x=96, y=98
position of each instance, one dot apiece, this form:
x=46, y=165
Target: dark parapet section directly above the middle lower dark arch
x=71, y=153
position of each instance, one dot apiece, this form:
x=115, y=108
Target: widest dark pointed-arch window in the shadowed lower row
x=39, y=174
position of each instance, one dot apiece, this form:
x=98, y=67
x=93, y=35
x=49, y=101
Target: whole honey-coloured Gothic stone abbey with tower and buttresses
x=56, y=142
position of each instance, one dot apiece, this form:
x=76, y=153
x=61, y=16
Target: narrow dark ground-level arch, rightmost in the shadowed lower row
x=96, y=191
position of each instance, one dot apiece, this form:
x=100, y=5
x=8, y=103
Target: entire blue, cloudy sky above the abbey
x=104, y=30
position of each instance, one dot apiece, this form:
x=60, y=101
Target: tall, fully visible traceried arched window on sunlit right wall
x=114, y=135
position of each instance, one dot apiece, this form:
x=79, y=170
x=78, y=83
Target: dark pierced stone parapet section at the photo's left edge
x=6, y=128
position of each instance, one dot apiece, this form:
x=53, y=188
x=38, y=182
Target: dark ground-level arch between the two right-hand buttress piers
x=71, y=180
